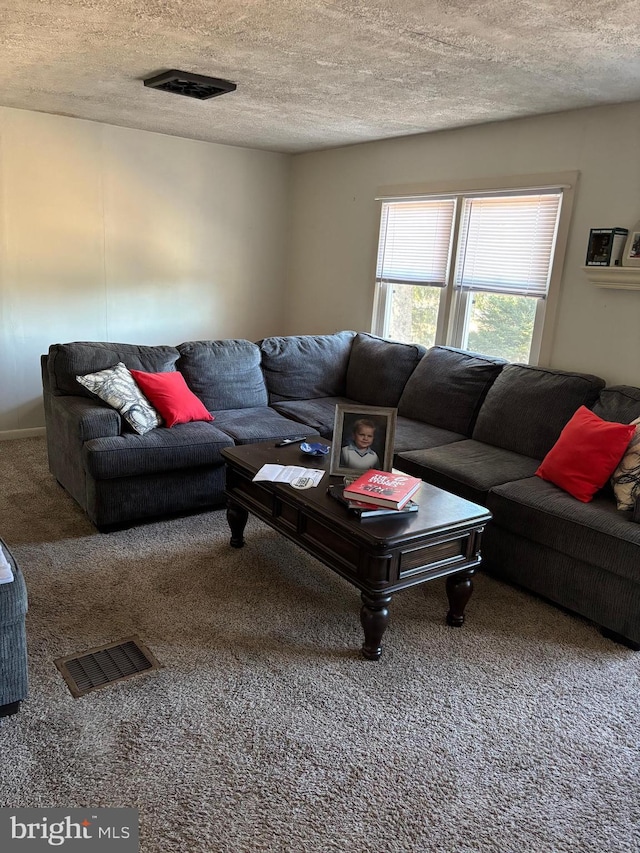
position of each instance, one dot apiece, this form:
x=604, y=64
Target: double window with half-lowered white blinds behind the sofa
x=471, y=269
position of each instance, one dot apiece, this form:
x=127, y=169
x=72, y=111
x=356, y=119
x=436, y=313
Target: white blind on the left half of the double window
x=415, y=237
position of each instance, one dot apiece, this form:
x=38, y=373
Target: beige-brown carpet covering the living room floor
x=266, y=731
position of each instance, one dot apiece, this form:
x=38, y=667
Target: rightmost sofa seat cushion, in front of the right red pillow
x=596, y=533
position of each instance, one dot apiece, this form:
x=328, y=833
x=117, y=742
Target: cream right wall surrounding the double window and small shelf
x=335, y=222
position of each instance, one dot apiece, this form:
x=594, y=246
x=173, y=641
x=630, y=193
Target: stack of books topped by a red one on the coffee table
x=377, y=493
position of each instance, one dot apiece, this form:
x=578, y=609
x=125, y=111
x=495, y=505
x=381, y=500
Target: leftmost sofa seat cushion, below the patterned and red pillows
x=183, y=446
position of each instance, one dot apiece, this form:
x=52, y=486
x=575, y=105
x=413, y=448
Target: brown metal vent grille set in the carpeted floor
x=105, y=665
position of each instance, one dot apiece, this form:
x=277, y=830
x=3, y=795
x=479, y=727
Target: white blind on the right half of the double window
x=507, y=242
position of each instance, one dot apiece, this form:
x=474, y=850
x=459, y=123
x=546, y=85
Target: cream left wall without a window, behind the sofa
x=118, y=235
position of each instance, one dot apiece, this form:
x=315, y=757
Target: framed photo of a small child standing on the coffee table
x=363, y=438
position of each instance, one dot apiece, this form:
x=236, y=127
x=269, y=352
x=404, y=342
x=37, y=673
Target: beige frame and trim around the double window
x=448, y=326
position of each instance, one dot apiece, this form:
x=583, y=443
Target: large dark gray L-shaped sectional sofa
x=475, y=425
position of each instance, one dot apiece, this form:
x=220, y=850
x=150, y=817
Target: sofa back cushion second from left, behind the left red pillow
x=224, y=374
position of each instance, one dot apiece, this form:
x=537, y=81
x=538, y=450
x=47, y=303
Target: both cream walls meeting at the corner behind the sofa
x=122, y=235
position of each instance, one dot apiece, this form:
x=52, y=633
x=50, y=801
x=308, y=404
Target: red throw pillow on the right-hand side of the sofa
x=585, y=454
